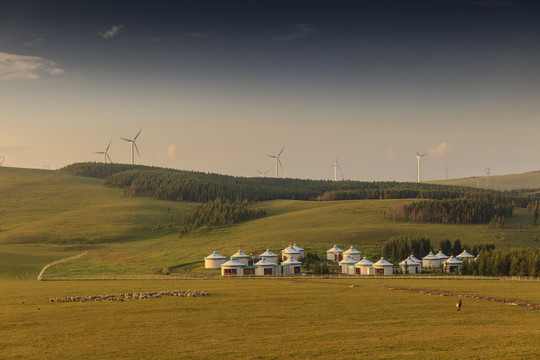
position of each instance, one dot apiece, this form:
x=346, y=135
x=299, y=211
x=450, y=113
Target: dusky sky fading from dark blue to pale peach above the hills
x=216, y=86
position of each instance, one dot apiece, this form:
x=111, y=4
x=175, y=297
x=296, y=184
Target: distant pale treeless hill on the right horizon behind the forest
x=528, y=180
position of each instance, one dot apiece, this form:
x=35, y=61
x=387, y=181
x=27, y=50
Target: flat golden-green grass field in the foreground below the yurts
x=270, y=319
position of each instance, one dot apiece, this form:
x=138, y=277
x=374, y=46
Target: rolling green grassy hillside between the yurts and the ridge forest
x=48, y=215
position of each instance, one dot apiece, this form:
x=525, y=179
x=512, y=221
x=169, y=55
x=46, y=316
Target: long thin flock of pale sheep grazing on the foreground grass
x=128, y=296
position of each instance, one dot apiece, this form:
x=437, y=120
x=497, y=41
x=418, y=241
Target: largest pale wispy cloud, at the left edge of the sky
x=14, y=67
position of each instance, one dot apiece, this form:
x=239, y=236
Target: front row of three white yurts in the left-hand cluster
x=261, y=268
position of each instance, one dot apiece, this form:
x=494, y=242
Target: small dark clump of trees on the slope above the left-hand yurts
x=218, y=212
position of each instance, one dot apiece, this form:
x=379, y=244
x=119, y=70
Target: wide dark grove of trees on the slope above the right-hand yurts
x=453, y=211
